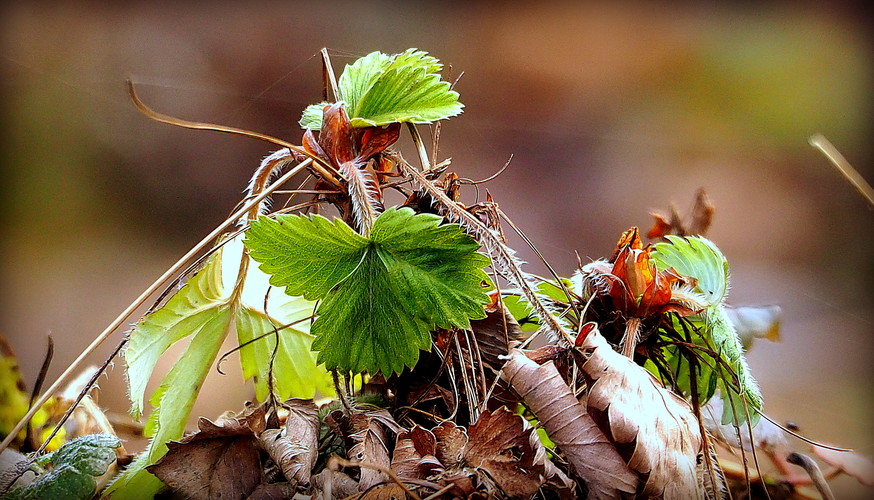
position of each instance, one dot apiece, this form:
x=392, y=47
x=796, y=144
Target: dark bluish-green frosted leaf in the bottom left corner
x=69, y=473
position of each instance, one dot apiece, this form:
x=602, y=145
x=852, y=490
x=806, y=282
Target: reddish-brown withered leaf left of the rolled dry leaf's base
x=499, y=443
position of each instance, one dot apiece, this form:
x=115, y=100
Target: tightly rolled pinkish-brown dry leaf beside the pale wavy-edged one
x=569, y=426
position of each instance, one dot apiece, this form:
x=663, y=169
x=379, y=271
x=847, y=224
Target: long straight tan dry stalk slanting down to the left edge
x=142, y=298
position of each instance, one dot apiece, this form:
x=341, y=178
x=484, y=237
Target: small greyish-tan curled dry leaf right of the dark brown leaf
x=296, y=449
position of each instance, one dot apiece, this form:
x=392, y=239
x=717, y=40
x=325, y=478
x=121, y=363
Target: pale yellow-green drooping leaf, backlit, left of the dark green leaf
x=204, y=310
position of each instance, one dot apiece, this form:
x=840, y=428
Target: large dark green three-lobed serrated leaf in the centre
x=380, y=296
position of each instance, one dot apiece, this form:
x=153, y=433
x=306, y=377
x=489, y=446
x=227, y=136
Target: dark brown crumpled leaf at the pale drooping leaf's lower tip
x=222, y=459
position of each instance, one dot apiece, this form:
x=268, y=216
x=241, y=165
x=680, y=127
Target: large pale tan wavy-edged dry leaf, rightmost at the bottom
x=653, y=428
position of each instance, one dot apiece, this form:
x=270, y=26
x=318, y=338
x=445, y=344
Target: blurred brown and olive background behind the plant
x=610, y=110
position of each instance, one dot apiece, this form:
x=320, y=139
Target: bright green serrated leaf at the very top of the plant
x=379, y=89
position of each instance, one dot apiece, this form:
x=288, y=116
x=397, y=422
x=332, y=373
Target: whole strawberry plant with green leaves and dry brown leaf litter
x=423, y=310
